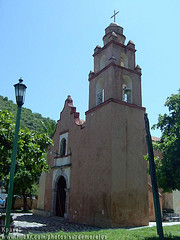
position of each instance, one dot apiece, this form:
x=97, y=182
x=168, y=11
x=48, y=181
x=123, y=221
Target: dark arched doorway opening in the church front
x=61, y=197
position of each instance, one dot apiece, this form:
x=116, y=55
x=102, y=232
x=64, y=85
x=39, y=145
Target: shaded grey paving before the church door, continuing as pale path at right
x=25, y=223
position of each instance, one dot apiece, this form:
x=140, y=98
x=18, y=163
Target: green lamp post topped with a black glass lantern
x=20, y=90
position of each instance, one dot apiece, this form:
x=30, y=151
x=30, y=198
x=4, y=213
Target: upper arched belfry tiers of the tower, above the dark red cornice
x=115, y=74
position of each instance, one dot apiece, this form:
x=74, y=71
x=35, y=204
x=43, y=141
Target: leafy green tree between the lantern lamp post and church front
x=31, y=161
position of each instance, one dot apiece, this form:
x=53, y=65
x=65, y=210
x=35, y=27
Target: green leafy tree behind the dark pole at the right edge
x=168, y=167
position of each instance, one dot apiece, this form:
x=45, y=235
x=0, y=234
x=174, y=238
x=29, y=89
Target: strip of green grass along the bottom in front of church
x=172, y=232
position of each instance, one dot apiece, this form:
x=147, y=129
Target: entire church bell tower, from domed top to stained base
x=115, y=121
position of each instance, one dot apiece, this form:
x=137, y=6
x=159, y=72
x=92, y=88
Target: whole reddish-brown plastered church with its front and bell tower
x=98, y=174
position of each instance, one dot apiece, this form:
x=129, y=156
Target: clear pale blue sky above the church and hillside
x=50, y=43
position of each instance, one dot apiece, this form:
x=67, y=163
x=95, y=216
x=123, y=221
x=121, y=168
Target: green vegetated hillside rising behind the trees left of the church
x=30, y=120
